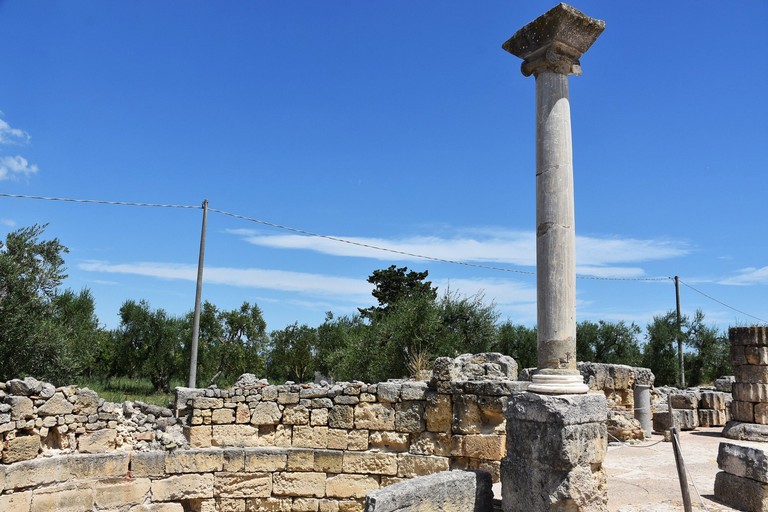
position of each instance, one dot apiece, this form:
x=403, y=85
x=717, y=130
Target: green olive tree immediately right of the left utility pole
x=230, y=343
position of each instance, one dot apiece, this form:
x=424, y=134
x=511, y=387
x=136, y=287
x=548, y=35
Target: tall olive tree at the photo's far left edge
x=30, y=272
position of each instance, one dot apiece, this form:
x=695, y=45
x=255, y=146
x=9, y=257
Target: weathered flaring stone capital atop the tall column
x=555, y=41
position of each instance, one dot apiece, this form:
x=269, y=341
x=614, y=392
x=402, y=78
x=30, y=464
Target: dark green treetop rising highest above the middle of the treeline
x=394, y=284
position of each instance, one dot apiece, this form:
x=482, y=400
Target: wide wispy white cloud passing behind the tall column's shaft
x=595, y=256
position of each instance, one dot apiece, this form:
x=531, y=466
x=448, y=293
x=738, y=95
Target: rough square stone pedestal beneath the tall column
x=555, y=451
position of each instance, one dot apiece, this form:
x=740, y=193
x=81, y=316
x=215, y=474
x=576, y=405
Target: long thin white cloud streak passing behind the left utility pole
x=306, y=283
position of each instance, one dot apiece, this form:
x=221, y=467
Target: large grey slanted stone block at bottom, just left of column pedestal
x=451, y=491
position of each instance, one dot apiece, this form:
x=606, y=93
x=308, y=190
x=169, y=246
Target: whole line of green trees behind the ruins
x=53, y=334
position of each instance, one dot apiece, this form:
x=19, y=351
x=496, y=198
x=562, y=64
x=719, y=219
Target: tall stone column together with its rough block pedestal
x=555, y=444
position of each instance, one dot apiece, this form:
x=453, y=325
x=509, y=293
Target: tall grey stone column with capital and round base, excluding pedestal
x=550, y=47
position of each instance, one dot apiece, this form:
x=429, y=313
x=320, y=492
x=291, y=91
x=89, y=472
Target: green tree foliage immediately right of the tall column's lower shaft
x=608, y=342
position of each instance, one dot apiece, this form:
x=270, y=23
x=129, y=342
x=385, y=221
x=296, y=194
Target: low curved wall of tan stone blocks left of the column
x=253, y=447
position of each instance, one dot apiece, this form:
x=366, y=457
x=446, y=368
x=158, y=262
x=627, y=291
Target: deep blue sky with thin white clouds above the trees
x=396, y=124
